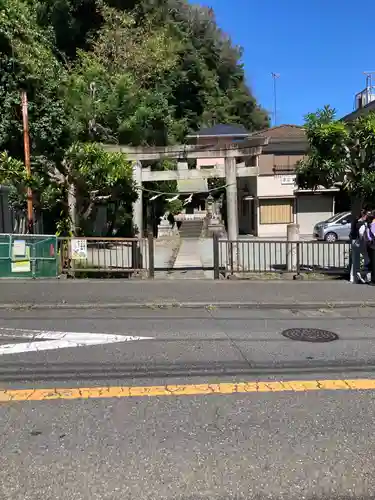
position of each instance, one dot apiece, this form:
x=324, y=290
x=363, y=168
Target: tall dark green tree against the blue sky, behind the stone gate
x=211, y=87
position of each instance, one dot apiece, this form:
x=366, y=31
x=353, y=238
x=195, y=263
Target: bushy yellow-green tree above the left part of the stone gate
x=114, y=92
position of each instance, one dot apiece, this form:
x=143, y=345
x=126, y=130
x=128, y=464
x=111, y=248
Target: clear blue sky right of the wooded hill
x=320, y=48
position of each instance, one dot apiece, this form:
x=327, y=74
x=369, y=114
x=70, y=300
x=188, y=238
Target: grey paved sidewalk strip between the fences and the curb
x=179, y=293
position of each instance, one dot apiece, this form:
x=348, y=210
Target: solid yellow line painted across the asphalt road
x=13, y=395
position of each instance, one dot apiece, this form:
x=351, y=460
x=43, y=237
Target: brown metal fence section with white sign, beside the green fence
x=105, y=257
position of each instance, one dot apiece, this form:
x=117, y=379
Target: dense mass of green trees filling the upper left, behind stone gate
x=137, y=72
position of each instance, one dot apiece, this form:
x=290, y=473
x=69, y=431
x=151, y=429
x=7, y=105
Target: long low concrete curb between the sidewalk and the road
x=191, y=305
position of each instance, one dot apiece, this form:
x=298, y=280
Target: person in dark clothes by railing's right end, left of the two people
x=358, y=247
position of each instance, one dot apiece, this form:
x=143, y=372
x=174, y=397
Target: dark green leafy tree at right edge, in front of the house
x=340, y=154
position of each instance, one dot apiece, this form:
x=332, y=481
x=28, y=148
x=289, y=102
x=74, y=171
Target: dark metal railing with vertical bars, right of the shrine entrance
x=255, y=256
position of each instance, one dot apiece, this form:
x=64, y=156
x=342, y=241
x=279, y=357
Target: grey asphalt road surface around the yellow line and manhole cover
x=293, y=445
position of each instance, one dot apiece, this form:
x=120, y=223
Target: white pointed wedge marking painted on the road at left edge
x=58, y=340
